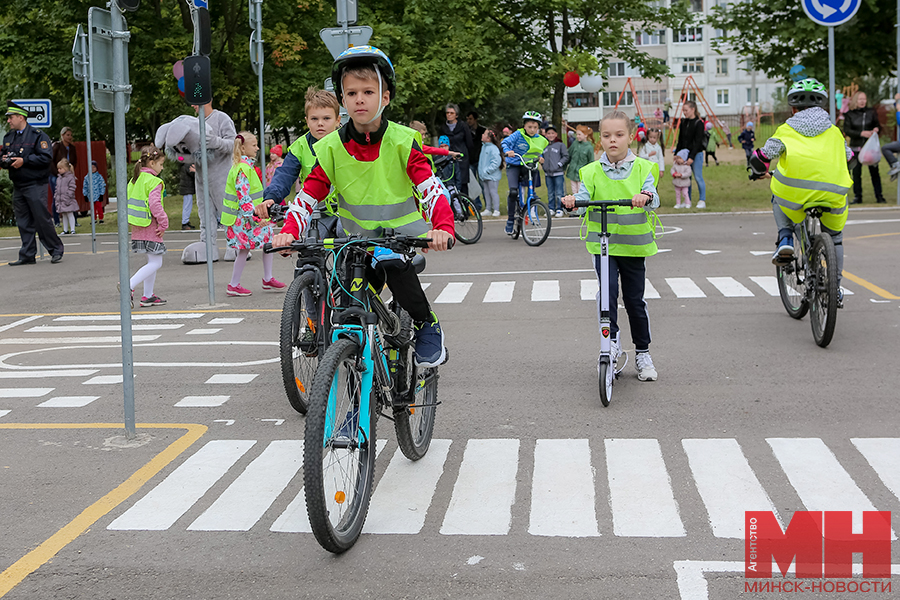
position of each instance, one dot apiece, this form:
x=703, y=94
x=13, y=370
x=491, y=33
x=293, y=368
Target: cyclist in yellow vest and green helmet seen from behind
x=811, y=171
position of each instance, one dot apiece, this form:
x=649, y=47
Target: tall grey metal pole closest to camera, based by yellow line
x=119, y=59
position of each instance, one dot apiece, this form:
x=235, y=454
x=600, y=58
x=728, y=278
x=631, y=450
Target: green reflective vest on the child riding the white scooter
x=630, y=230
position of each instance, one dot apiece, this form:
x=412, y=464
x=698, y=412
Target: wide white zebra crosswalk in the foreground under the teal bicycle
x=565, y=498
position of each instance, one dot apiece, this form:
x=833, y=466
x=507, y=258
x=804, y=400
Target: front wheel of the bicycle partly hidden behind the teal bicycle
x=302, y=330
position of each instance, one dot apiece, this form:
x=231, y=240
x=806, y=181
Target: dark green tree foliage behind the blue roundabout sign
x=775, y=35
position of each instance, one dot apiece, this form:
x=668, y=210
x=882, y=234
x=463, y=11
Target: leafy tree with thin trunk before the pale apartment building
x=555, y=36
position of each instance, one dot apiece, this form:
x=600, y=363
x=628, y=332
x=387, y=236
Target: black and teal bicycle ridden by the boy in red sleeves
x=367, y=371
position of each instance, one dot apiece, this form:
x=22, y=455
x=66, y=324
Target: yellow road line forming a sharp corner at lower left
x=29, y=563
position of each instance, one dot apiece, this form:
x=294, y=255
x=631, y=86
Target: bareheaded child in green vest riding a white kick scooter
x=619, y=174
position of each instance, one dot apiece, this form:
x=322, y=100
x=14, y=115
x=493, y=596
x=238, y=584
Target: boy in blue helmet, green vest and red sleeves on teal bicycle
x=373, y=165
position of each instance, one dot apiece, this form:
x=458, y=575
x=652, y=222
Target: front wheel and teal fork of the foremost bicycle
x=338, y=457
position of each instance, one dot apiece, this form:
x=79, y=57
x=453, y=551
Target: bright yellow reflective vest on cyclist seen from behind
x=812, y=171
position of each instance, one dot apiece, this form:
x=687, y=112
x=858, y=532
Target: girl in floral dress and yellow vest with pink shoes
x=244, y=230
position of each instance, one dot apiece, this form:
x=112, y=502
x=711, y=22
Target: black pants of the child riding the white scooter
x=633, y=272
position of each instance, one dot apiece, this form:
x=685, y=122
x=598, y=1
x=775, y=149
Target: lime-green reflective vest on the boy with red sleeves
x=374, y=195
